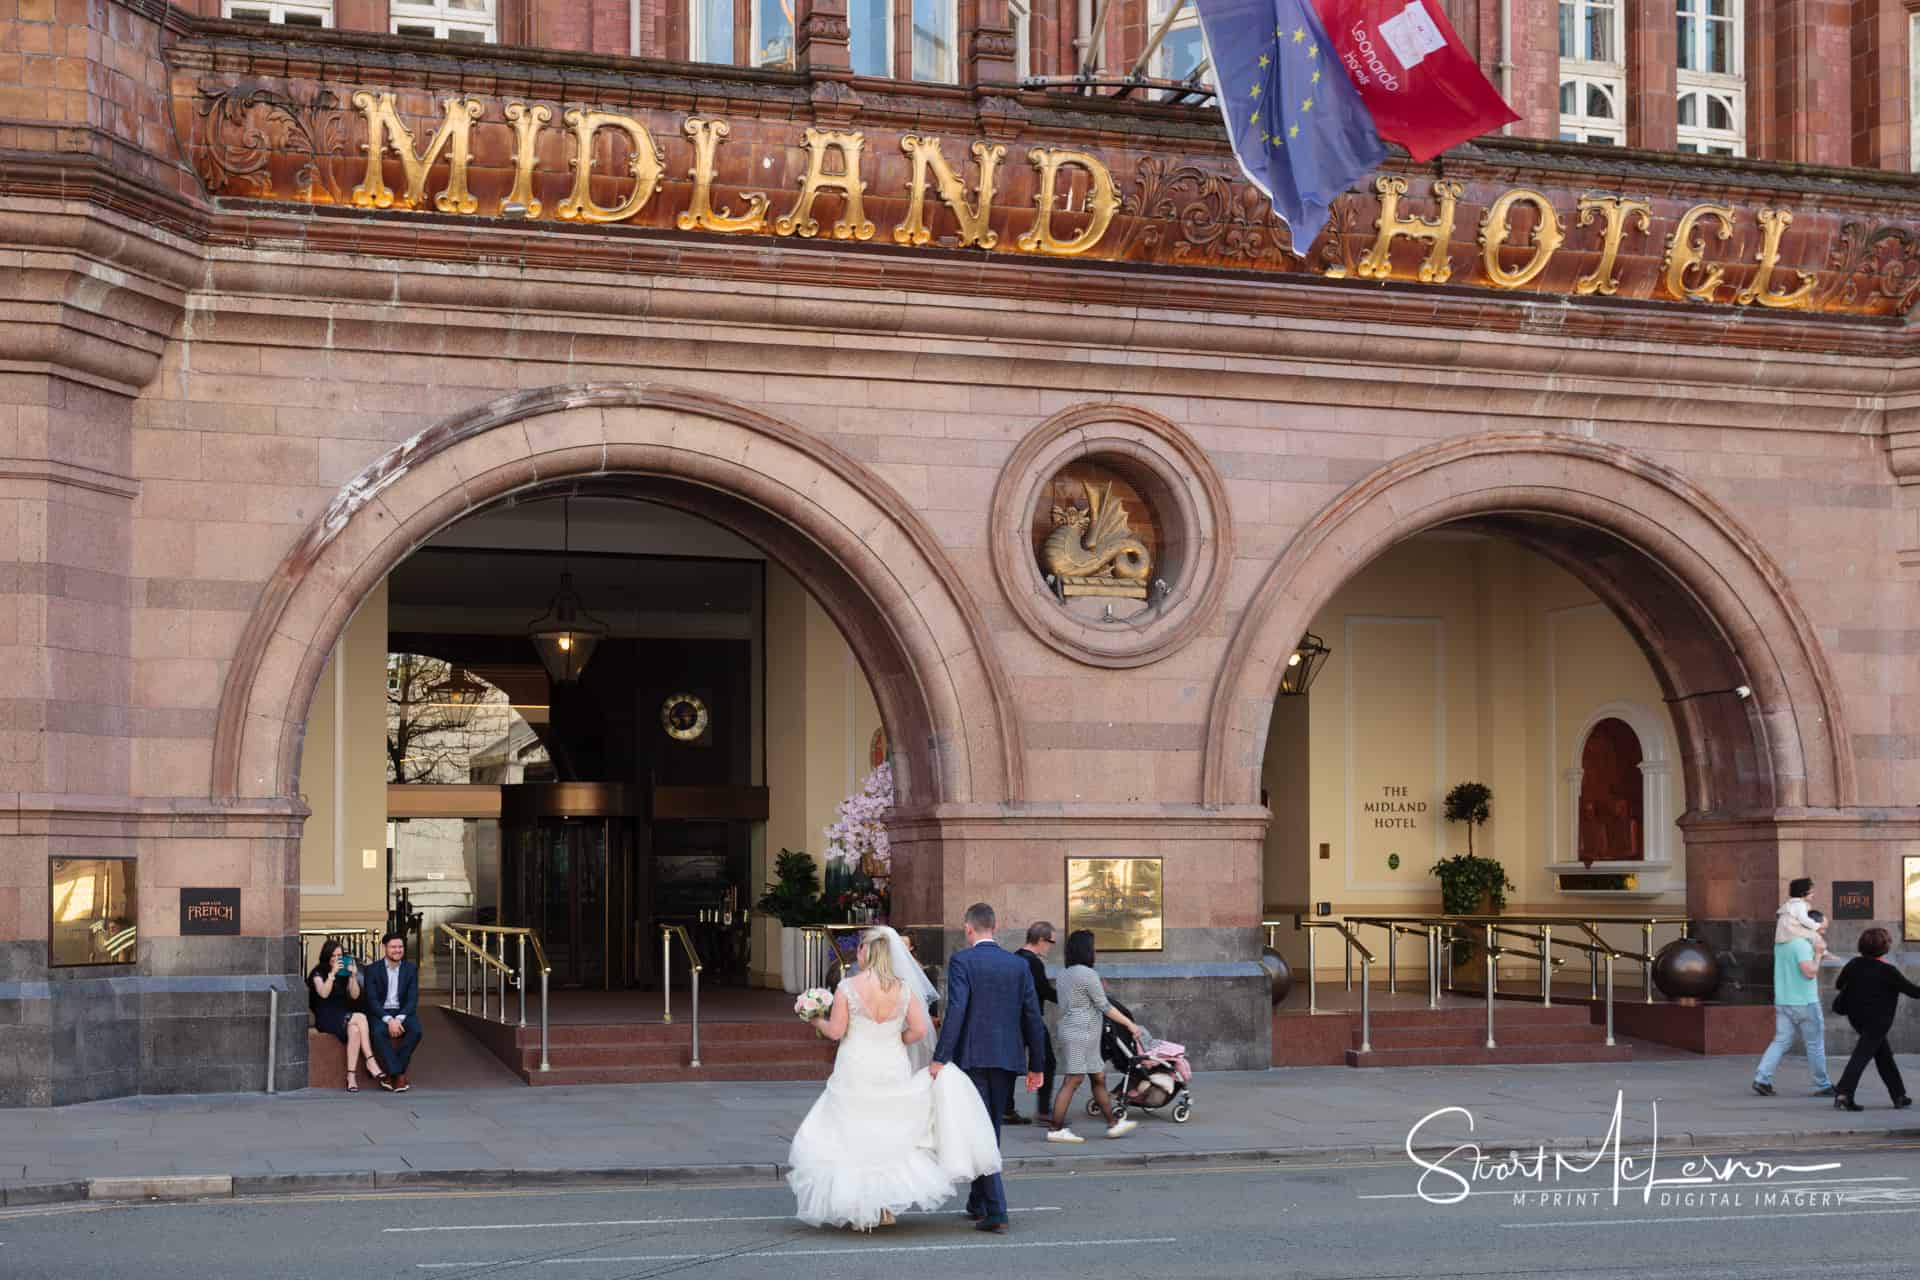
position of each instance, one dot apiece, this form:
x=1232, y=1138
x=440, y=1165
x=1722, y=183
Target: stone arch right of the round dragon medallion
x=1700, y=596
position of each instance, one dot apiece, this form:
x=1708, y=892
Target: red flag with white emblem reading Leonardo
x=1420, y=83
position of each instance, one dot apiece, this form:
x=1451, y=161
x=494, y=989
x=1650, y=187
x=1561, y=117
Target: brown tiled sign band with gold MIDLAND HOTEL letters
x=456, y=154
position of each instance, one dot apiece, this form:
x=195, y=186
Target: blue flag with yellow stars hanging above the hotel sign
x=1297, y=124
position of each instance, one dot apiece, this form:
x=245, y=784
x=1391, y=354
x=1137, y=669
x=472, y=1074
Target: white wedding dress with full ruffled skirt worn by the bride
x=886, y=1137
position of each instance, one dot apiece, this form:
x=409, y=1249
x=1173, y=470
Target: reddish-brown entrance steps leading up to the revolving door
x=656, y=1053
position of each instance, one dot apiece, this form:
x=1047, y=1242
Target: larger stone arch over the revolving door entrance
x=869, y=559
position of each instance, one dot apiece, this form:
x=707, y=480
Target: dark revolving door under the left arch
x=567, y=870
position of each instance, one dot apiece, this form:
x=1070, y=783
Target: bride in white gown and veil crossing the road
x=886, y=1135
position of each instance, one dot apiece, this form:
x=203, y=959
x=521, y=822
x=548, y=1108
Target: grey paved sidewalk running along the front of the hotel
x=325, y=1141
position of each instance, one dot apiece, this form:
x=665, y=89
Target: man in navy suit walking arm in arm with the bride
x=994, y=1030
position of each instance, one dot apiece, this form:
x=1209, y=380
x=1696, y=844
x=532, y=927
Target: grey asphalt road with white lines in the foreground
x=1746, y=1221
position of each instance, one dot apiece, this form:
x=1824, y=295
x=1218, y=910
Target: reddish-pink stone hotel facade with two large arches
x=295, y=287
